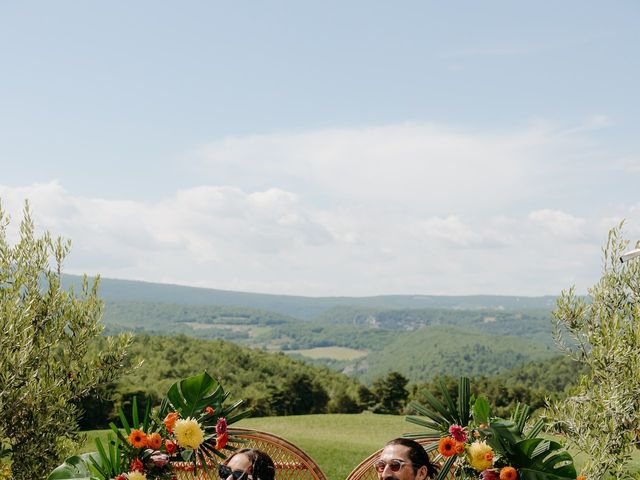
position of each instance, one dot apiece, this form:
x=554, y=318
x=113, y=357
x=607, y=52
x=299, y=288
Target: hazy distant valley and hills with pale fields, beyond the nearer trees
x=363, y=337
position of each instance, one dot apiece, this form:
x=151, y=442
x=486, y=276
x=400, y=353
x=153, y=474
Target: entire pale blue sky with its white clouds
x=325, y=148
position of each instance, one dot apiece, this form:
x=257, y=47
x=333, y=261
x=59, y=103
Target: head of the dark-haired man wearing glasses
x=404, y=459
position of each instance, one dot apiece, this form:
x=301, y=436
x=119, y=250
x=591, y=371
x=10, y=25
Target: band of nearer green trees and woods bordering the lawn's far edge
x=274, y=384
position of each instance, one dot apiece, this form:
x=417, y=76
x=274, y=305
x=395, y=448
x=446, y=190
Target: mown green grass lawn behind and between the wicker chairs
x=336, y=442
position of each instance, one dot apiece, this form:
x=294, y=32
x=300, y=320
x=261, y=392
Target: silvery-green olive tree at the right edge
x=602, y=415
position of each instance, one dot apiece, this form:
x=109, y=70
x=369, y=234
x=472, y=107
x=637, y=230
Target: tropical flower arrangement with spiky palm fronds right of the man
x=480, y=446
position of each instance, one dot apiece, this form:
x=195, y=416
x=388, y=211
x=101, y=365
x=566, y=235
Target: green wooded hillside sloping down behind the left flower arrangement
x=270, y=383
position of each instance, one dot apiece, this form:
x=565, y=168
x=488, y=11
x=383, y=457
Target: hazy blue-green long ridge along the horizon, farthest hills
x=301, y=307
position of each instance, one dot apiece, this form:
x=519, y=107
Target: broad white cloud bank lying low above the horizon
x=412, y=208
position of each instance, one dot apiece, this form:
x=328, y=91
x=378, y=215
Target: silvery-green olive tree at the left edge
x=45, y=360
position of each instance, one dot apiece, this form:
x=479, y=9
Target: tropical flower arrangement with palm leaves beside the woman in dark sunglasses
x=190, y=427
